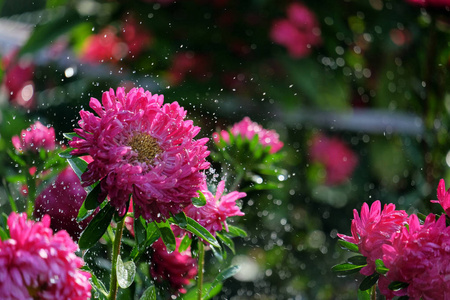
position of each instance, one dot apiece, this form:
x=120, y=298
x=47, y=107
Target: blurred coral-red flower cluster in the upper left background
x=109, y=45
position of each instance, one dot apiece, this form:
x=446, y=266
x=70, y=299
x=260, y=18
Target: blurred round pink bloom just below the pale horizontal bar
x=339, y=160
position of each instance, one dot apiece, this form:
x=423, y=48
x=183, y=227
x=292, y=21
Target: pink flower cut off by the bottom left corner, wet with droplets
x=35, y=264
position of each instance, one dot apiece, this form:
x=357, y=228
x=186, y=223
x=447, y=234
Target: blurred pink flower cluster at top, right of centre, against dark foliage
x=299, y=32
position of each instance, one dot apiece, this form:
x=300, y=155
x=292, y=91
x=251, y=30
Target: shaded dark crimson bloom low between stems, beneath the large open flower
x=175, y=268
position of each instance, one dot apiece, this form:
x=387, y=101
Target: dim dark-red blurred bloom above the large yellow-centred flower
x=188, y=64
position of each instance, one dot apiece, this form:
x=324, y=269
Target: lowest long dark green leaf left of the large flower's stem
x=96, y=228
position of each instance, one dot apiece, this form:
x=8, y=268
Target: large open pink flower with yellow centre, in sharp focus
x=142, y=148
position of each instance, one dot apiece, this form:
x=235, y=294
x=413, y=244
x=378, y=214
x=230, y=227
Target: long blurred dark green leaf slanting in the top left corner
x=48, y=32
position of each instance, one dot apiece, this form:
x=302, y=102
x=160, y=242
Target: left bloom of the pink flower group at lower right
x=373, y=229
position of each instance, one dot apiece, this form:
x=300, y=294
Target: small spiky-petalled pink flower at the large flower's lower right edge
x=217, y=208
